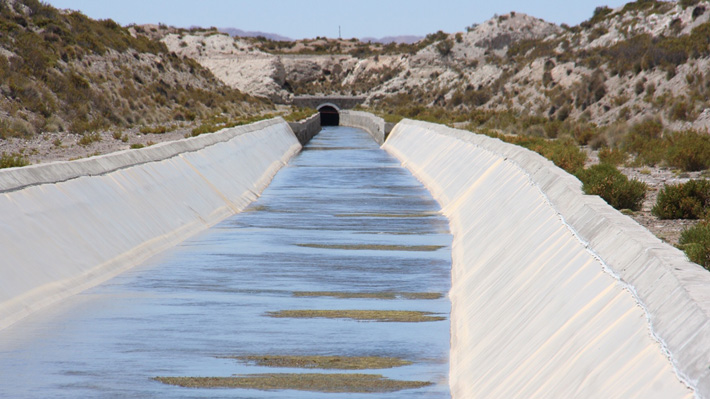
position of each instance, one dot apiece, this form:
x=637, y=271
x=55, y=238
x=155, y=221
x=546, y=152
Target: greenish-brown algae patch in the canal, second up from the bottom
x=324, y=362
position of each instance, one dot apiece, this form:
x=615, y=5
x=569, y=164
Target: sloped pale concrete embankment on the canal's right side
x=554, y=293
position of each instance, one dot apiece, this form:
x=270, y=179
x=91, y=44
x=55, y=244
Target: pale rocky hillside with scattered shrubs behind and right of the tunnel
x=647, y=58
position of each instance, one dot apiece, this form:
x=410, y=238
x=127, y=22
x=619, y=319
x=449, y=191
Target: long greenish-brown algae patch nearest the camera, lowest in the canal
x=347, y=383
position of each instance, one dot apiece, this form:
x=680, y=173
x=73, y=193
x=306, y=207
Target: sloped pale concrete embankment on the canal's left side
x=67, y=226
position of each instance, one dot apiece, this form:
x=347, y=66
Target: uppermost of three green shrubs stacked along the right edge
x=688, y=150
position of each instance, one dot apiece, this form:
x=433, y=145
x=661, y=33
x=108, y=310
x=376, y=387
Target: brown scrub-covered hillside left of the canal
x=62, y=71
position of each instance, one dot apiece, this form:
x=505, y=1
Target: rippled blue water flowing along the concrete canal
x=343, y=217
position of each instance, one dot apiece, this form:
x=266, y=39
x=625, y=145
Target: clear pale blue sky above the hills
x=307, y=19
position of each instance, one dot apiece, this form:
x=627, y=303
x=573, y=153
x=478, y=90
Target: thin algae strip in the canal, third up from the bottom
x=405, y=316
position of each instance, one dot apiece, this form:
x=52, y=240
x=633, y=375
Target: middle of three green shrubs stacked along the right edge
x=683, y=201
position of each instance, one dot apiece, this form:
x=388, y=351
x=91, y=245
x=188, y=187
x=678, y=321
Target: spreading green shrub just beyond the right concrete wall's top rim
x=613, y=186
